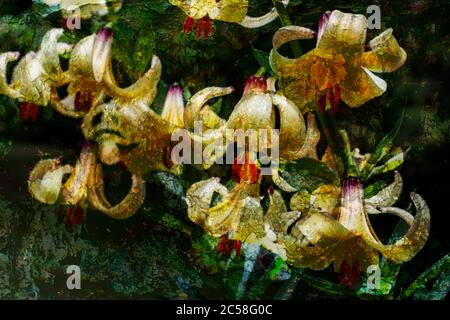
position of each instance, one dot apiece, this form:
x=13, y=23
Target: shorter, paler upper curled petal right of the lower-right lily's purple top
x=386, y=197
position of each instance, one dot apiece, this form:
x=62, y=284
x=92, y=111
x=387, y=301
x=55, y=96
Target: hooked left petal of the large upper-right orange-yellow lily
x=283, y=36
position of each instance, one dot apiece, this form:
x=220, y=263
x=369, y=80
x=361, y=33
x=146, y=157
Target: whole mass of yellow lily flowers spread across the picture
x=329, y=225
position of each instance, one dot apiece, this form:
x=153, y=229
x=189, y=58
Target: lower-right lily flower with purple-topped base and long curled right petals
x=318, y=239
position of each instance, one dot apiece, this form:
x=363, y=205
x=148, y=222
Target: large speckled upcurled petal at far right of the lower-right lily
x=413, y=241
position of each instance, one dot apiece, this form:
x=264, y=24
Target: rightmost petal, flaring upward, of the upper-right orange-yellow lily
x=386, y=54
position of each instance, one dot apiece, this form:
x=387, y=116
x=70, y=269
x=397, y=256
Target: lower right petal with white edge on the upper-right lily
x=361, y=87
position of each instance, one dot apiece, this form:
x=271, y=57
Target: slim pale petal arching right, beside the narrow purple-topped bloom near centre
x=198, y=100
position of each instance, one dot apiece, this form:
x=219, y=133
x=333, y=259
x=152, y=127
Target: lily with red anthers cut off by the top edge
x=199, y=13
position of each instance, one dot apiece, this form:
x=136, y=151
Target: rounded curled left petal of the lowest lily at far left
x=45, y=181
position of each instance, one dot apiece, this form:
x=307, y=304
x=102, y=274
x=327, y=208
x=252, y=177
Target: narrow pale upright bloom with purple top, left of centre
x=173, y=109
